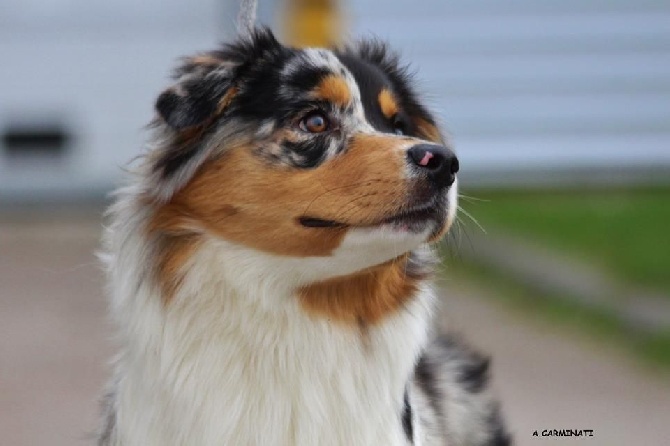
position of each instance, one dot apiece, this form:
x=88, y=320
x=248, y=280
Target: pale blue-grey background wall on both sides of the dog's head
x=526, y=87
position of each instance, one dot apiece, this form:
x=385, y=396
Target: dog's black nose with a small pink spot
x=438, y=162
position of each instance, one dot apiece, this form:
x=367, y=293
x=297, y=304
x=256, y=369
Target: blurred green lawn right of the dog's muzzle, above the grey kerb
x=625, y=231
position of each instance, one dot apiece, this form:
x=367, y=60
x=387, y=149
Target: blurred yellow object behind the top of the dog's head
x=312, y=23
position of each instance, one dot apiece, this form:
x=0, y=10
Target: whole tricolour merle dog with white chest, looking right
x=269, y=261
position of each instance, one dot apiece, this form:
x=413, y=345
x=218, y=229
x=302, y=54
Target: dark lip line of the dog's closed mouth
x=415, y=218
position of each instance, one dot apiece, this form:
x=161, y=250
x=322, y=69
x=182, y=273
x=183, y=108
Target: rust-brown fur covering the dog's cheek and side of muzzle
x=242, y=198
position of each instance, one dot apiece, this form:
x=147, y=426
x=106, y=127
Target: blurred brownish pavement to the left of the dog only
x=53, y=333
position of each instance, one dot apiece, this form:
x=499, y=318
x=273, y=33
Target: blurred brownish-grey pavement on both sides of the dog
x=54, y=349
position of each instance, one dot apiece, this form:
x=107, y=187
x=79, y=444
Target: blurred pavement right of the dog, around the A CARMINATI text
x=550, y=379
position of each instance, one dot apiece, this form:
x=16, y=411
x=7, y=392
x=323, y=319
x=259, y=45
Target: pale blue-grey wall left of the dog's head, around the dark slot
x=95, y=69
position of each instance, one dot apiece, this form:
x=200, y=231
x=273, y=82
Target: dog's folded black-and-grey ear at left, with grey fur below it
x=205, y=89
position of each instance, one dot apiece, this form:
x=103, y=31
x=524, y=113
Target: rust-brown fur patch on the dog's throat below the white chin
x=365, y=298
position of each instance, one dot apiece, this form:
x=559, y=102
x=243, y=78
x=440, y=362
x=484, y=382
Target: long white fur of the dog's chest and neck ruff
x=233, y=358
